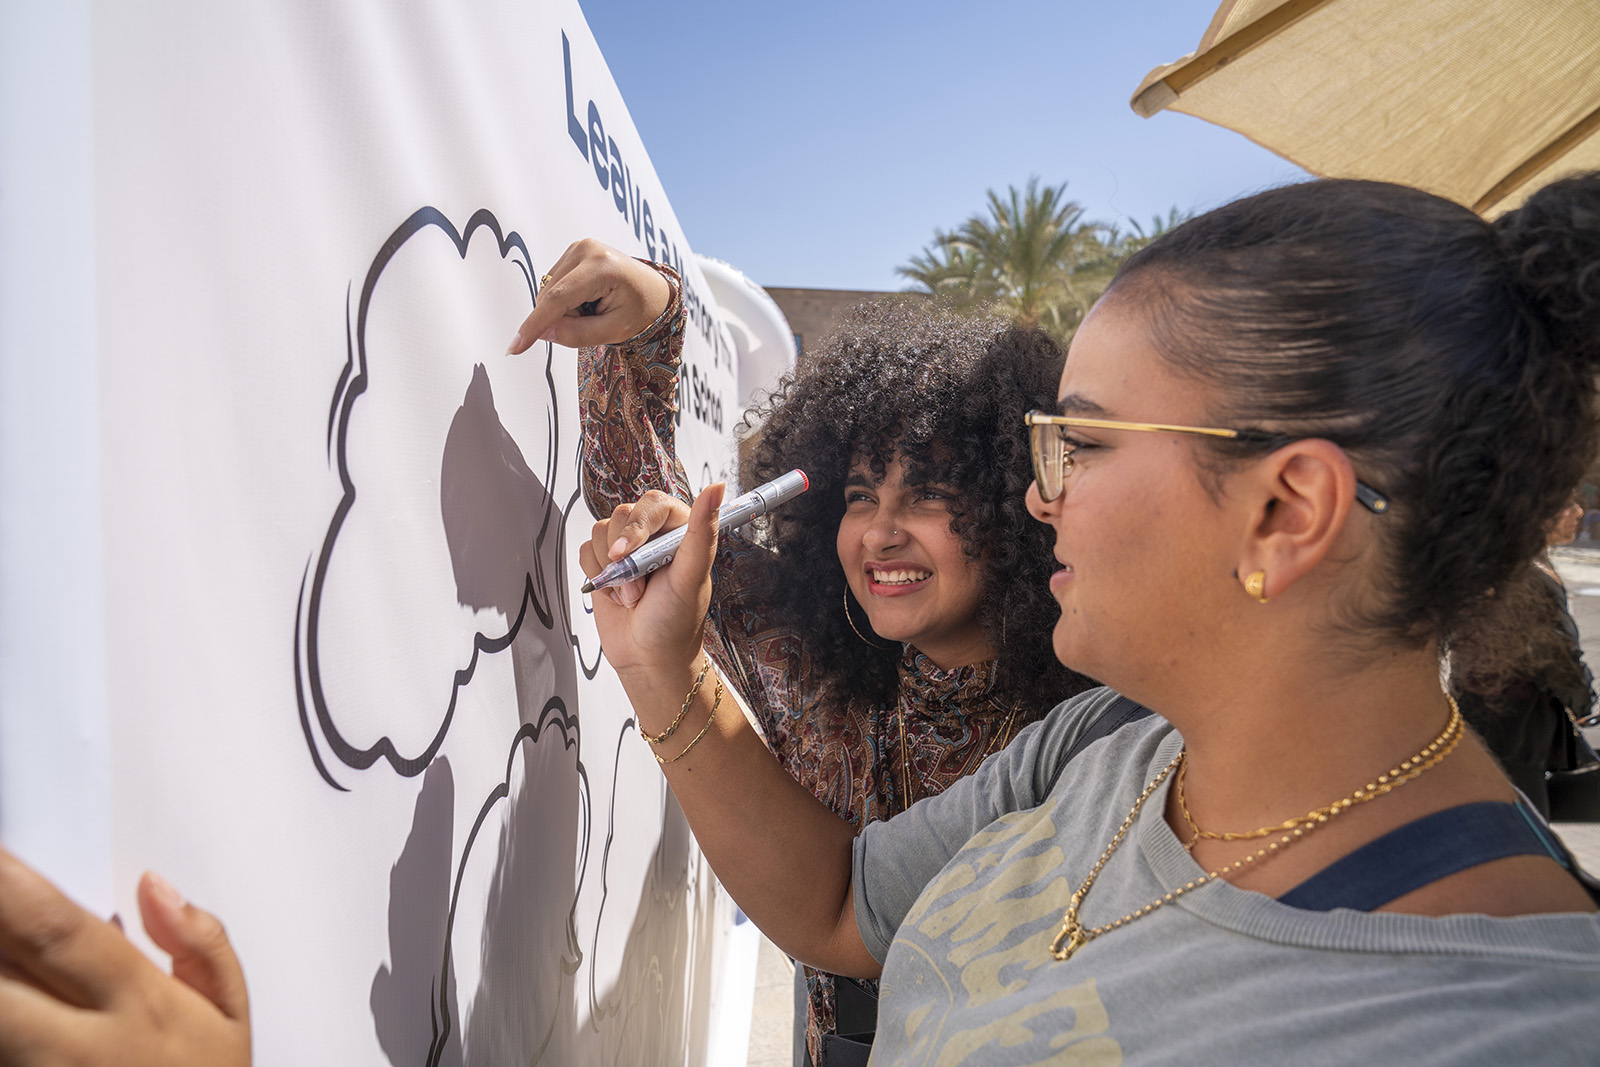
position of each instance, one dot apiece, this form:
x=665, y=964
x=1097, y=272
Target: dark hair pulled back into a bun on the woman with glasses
x=1450, y=358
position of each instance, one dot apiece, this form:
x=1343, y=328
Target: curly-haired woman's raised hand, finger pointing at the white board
x=594, y=295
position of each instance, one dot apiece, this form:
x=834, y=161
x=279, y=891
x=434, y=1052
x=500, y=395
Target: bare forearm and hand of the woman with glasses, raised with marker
x=652, y=633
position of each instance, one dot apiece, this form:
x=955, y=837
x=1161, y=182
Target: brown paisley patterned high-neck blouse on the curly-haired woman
x=862, y=762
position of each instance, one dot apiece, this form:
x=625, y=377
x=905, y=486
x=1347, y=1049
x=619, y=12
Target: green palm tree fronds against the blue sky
x=1033, y=258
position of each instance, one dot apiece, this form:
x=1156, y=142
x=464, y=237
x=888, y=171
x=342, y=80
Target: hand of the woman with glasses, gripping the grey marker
x=655, y=623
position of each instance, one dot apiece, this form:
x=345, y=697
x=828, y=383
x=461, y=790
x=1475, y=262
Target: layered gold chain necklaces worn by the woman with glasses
x=1074, y=935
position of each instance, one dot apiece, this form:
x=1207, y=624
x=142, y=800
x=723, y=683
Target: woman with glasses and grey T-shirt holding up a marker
x=1295, y=449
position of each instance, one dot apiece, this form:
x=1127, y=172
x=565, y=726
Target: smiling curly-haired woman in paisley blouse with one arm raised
x=892, y=629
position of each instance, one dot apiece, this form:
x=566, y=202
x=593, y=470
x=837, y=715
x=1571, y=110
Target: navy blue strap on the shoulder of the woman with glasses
x=1425, y=852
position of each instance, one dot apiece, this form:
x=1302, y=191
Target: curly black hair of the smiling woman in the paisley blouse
x=943, y=394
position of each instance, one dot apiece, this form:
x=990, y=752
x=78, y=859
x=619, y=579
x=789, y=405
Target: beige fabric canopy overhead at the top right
x=1481, y=102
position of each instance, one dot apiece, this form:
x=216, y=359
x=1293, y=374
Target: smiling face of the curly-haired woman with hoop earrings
x=908, y=569
